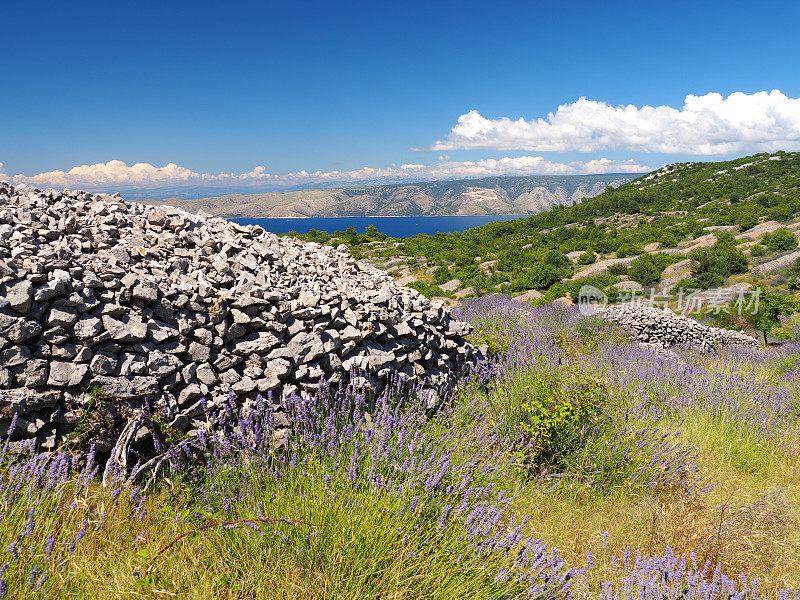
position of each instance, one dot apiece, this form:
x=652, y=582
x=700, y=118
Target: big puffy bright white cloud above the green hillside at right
x=704, y=125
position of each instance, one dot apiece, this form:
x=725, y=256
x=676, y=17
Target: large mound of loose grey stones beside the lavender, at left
x=160, y=308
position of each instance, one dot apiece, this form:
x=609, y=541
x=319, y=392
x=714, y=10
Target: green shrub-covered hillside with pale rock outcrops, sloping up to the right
x=658, y=232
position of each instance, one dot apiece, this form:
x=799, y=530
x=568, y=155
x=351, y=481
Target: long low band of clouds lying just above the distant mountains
x=117, y=174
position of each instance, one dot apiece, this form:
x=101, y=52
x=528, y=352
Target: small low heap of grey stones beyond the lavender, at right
x=664, y=328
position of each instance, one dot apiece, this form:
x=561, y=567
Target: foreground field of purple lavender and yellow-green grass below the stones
x=572, y=463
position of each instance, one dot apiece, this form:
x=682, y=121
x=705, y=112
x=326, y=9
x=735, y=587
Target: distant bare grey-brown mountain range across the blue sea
x=490, y=196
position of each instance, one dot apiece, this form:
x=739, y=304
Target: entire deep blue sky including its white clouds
x=287, y=89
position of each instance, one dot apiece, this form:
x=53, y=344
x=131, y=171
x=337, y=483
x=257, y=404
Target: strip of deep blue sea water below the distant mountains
x=391, y=226
